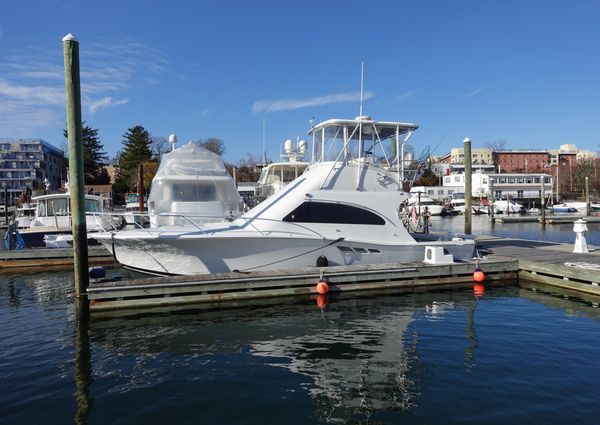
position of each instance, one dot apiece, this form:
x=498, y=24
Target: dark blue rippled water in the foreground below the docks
x=513, y=356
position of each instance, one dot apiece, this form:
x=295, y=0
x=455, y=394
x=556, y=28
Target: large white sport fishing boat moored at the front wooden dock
x=343, y=210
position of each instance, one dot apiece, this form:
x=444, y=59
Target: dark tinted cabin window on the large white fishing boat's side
x=323, y=212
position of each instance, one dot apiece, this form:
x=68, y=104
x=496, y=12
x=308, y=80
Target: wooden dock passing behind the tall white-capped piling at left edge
x=42, y=259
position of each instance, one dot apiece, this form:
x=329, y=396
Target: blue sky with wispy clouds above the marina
x=524, y=71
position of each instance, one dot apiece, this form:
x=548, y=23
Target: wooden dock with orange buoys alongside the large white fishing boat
x=185, y=290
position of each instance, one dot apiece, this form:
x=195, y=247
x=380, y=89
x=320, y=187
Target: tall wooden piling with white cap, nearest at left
x=76, y=182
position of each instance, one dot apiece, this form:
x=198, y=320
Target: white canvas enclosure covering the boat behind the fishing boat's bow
x=192, y=181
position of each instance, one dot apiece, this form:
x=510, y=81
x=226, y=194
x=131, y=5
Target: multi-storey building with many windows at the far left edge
x=29, y=163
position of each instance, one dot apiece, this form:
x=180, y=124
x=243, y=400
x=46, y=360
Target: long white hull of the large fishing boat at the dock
x=162, y=254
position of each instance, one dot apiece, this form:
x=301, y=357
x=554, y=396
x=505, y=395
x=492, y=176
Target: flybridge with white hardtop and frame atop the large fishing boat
x=362, y=140
